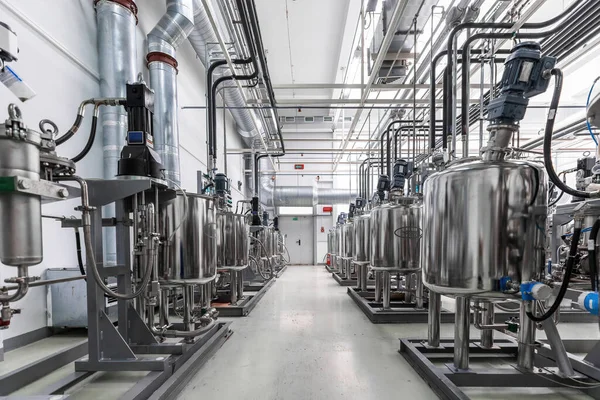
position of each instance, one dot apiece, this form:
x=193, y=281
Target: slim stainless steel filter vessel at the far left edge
x=20, y=213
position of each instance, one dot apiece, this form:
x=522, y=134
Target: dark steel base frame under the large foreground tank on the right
x=435, y=365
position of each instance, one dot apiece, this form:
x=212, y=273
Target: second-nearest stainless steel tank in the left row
x=233, y=240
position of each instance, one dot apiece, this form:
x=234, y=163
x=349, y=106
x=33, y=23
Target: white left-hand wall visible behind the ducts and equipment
x=61, y=85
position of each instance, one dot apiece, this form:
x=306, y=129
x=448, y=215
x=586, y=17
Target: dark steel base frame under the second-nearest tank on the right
x=399, y=313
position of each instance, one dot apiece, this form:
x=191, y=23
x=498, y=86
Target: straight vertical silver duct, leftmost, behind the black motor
x=117, y=65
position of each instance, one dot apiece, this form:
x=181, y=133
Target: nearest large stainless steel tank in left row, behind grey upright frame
x=191, y=255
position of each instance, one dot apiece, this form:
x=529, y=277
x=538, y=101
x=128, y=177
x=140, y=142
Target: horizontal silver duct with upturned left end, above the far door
x=272, y=195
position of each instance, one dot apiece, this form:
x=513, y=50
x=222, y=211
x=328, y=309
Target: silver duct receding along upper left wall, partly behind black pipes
x=204, y=41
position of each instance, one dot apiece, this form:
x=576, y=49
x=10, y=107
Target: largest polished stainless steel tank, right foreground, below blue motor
x=484, y=223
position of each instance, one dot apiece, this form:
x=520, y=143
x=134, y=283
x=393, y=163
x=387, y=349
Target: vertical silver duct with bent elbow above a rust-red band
x=172, y=29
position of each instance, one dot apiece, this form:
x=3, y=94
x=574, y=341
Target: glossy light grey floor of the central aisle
x=307, y=339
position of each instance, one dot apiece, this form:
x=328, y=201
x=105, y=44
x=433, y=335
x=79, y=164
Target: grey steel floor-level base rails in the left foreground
x=156, y=385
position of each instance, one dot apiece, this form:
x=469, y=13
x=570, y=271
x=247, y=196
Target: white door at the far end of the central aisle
x=299, y=238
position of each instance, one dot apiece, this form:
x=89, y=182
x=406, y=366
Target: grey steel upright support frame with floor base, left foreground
x=130, y=346
